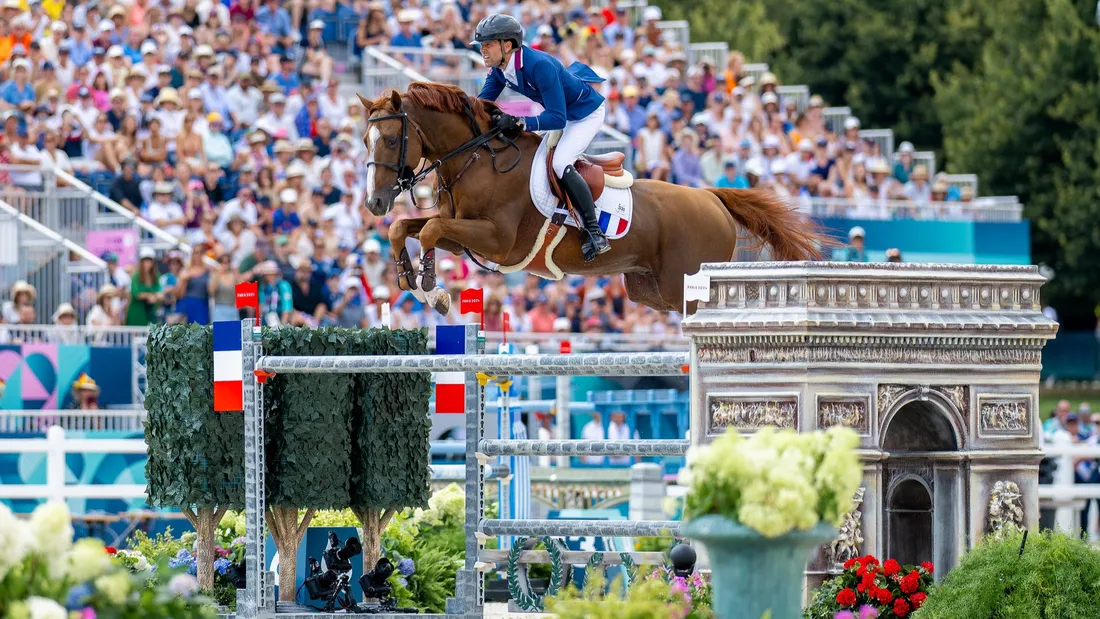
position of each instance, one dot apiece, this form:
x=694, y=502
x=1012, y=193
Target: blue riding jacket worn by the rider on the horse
x=566, y=95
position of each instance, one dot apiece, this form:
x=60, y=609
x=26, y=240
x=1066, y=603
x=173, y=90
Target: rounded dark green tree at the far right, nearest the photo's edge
x=1026, y=120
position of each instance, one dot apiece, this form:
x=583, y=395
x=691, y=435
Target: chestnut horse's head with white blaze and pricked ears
x=394, y=149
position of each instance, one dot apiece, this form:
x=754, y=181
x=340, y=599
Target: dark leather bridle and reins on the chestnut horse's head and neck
x=408, y=179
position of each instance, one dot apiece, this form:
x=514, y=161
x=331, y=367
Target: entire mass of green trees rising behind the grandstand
x=1004, y=91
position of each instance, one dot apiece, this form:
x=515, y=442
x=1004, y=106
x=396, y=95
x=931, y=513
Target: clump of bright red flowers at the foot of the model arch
x=894, y=590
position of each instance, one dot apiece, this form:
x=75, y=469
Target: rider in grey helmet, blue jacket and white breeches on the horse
x=570, y=104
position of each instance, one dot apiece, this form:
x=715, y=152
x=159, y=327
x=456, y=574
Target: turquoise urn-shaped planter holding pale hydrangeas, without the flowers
x=753, y=574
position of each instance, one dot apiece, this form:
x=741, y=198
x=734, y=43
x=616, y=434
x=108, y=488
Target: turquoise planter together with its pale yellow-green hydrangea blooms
x=760, y=505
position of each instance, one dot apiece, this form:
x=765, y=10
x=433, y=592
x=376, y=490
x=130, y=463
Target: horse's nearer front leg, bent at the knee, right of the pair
x=480, y=236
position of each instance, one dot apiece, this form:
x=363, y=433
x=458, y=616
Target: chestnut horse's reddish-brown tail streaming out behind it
x=775, y=223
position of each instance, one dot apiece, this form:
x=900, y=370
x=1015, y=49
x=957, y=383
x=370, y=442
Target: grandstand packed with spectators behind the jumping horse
x=134, y=137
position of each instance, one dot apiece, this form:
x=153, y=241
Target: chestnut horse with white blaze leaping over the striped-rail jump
x=490, y=213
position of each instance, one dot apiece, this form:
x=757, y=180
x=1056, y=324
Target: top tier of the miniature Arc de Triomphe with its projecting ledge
x=878, y=297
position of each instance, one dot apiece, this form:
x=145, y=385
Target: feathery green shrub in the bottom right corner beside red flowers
x=1057, y=577
